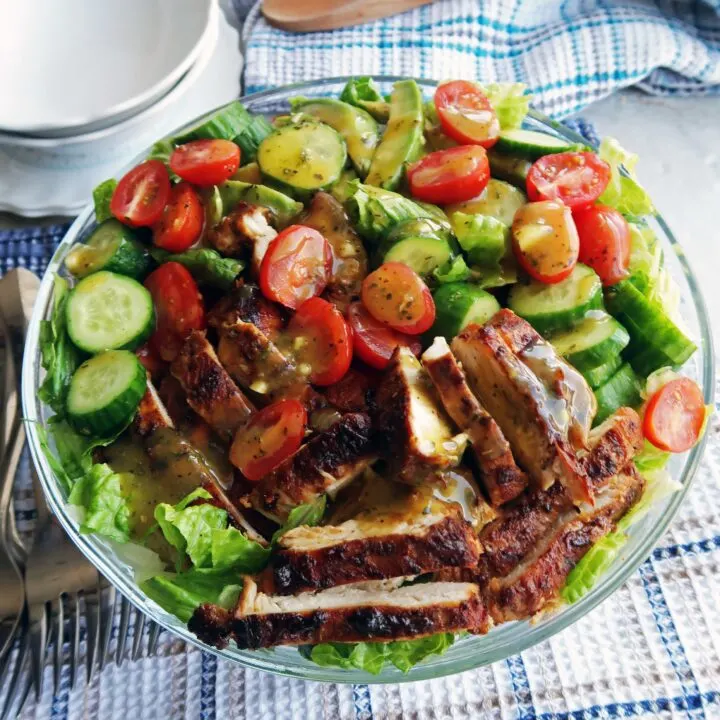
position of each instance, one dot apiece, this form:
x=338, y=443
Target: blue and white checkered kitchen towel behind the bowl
x=569, y=52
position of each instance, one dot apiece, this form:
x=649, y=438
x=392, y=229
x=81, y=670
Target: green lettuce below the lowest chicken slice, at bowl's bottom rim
x=371, y=657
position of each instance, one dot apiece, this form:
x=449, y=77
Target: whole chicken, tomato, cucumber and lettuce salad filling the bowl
x=368, y=376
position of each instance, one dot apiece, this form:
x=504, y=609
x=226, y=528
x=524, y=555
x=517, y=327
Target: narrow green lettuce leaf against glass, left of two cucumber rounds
x=59, y=357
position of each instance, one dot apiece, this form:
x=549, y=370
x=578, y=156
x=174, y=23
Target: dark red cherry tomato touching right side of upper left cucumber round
x=178, y=306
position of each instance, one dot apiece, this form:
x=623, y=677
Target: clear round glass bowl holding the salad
x=468, y=652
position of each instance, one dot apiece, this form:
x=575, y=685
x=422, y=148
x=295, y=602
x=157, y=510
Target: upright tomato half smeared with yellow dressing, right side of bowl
x=545, y=241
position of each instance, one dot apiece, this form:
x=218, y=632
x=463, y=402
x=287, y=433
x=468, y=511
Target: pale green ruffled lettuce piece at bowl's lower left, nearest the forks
x=100, y=493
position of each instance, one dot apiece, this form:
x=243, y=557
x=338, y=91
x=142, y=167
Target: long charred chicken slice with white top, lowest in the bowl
x=344, y=614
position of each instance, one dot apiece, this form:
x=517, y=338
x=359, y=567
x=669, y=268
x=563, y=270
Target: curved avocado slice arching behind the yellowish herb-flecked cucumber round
x=357, y=127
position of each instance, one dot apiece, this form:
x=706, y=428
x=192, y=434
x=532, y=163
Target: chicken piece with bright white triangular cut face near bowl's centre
x=412, y=422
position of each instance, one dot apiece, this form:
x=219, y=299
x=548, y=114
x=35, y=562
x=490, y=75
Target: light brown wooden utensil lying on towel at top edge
x=312, y=15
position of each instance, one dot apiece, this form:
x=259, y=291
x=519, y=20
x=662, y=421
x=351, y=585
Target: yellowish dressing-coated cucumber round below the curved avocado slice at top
x=302, y=158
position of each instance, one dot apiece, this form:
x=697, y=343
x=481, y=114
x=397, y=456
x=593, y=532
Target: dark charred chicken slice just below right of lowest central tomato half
x=325, y=464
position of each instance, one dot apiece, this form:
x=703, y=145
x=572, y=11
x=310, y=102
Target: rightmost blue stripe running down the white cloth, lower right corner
x=670, y=637
